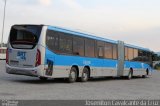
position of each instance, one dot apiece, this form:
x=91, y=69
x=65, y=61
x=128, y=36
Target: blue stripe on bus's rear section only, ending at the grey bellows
x=65, y=60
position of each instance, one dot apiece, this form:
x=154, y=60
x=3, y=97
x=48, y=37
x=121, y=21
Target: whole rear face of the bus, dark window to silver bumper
x=23, y=55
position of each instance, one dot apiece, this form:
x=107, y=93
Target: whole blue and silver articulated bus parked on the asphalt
x=52, y=52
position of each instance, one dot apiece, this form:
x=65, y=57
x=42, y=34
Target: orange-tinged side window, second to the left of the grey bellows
x=108, y=51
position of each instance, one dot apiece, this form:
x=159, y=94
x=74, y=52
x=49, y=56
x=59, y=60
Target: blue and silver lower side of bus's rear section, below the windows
x=63, y=63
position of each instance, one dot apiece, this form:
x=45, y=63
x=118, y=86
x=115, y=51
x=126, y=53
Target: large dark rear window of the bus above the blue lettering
x=24, y=37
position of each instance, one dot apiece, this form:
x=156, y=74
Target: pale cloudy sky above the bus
x=135, y=22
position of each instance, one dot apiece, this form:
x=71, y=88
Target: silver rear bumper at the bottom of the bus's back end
x=23, y=71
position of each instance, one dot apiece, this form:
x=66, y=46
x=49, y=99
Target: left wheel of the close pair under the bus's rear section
x=72, y=75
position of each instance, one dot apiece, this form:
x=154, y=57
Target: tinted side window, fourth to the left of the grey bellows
x=89, y=48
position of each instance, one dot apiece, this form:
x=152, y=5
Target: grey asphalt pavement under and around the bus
x=18, y=87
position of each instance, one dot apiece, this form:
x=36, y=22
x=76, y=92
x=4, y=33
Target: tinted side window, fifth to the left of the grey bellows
x=78, y=46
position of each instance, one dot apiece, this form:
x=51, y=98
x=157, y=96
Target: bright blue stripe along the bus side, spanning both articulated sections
x=65, y=60
